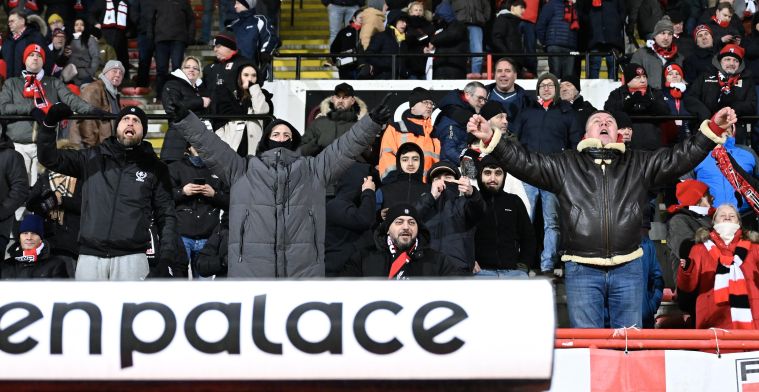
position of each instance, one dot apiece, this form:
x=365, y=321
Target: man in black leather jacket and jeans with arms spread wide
x=602, y=188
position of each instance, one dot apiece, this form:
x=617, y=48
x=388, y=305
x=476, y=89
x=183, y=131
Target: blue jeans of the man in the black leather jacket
x=593, y=291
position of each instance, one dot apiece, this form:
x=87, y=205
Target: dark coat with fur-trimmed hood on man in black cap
x=329, y=125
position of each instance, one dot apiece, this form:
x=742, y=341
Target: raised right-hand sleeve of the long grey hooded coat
x=340, y=154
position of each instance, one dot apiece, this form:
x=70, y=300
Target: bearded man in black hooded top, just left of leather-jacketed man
x=505, y=241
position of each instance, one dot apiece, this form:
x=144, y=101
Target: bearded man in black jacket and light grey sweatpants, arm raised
x=124, y=187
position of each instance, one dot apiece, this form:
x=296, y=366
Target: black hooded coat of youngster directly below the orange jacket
x=401, y=187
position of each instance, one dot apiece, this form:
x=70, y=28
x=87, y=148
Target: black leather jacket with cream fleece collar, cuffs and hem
x=609, y=235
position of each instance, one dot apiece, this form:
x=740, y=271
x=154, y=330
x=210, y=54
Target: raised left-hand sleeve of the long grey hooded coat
x=217, y=155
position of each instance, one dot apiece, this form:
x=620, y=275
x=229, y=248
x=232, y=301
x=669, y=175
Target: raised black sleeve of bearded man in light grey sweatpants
x=68, y=162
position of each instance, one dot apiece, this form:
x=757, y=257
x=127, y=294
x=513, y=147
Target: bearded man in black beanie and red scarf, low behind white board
x=403, y=250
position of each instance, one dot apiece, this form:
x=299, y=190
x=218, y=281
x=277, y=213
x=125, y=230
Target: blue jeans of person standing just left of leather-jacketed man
x=550, y=224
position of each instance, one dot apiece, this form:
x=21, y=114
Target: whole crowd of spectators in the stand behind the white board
x=490, y=181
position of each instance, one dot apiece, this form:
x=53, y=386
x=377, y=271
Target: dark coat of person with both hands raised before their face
x=452, y=221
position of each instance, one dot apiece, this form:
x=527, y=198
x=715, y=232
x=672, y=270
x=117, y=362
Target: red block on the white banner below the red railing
x=612, y=370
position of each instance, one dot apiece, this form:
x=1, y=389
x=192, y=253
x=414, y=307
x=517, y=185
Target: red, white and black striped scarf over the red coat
x=729, y=283
